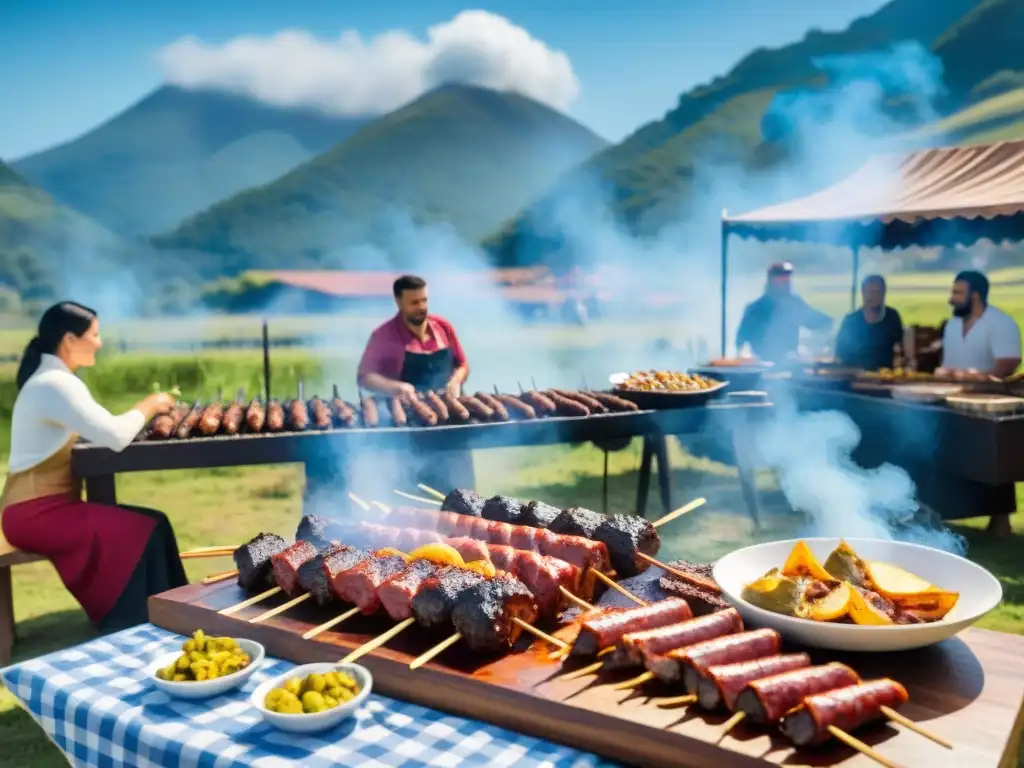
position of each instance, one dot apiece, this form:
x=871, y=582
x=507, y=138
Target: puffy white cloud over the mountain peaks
x=353, y=76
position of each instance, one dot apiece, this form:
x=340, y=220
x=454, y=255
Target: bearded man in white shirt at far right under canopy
x=979, y=336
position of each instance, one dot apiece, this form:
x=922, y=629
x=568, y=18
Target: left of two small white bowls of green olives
x=206, y=666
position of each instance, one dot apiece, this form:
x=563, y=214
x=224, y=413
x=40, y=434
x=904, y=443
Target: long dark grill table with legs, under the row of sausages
x=99, y=466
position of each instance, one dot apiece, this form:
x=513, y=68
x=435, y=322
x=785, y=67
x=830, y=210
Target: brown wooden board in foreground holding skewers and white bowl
x=970, y=690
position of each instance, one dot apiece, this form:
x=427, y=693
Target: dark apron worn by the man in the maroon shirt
x=443, y=471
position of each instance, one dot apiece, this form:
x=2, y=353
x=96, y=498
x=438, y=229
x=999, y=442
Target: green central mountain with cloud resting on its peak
x=460, y=156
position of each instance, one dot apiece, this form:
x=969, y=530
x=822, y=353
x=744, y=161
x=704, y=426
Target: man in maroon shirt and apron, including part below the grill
x=417, y=352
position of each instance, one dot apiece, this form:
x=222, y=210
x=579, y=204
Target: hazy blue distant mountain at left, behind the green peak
x=176, y=153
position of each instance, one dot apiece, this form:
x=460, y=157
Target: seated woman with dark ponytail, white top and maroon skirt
x=110, y=559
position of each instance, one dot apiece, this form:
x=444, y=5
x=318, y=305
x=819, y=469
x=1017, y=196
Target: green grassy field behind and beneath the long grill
x=229, y=505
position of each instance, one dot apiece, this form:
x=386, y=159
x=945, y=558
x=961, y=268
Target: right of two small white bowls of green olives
x=313, y=698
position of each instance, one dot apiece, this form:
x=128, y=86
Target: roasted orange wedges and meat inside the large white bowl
x=848, y=589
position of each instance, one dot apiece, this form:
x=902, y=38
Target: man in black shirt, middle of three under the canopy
x=867, y=337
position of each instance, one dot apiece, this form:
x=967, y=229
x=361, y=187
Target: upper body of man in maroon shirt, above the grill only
x=414, y=351
